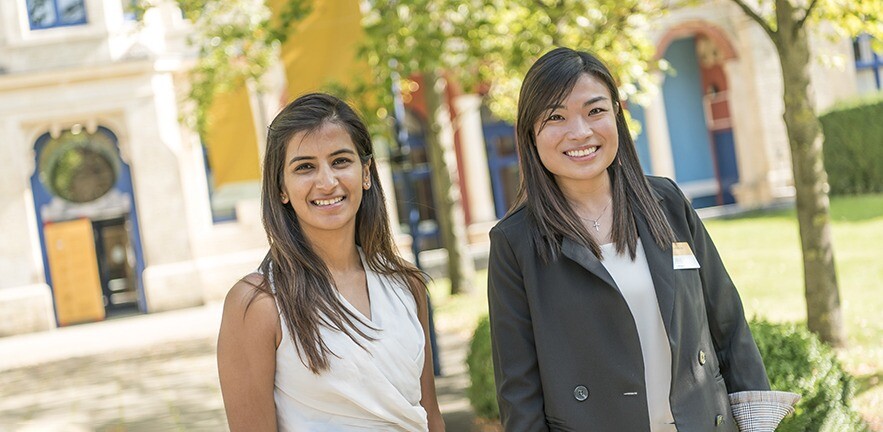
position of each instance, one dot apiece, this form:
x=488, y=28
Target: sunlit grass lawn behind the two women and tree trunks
x=762, y=253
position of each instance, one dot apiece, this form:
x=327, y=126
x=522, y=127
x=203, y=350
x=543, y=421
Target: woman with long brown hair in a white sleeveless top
x=331, y=333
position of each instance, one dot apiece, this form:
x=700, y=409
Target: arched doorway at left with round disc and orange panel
x=88, y=225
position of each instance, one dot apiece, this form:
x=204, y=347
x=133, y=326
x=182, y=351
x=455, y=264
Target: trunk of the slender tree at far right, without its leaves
x=823, y=311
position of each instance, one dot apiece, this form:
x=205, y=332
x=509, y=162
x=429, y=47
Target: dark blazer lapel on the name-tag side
x=660, y=263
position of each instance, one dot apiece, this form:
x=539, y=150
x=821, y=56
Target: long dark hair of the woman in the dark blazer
x=547, y=83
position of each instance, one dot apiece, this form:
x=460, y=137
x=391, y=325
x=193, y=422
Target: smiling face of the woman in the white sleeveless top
x=324, y=179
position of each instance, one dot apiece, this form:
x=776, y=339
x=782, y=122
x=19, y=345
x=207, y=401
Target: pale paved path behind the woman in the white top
x=153, y=372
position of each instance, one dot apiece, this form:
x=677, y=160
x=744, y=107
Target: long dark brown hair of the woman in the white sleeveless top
x=304, y=286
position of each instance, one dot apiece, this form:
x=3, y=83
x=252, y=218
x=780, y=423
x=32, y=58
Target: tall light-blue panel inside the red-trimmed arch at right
x=691, y=149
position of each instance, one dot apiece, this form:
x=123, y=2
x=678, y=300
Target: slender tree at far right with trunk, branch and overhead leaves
x=789, y=24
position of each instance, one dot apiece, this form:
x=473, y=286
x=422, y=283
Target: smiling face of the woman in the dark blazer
x=577, y=139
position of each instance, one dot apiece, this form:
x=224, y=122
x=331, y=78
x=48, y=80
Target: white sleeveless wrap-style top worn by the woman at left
x=373, y=390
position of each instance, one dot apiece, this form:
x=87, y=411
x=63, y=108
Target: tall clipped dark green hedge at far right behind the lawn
x=853, y=149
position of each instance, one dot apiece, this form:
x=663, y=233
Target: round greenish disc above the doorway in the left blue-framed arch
x=79, y=167
